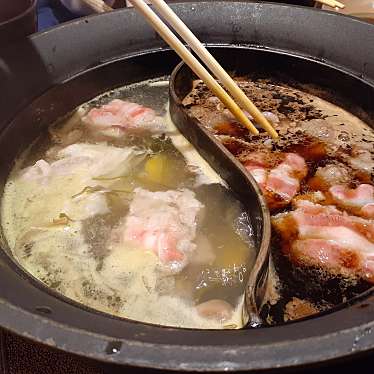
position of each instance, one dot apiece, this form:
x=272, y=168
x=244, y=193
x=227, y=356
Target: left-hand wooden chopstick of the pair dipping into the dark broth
x=193, y=63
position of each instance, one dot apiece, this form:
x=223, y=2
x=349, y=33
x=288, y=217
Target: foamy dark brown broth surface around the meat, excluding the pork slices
x=298, y=289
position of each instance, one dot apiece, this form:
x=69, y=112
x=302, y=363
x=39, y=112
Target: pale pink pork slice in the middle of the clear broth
x=164, y=223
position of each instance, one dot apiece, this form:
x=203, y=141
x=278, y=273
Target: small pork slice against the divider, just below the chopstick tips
x=278, y=175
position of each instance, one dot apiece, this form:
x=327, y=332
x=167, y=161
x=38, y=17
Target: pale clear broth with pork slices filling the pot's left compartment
x=105, y=210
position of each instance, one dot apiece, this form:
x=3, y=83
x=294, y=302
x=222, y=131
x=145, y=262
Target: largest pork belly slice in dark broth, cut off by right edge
x=323, y=236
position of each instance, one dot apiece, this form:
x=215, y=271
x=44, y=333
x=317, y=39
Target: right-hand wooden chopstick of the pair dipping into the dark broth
x=213, y=65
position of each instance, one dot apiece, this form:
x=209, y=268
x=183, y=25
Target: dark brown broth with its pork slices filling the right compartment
x=318, y=181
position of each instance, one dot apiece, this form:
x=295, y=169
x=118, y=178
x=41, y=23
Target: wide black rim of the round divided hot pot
x=56, y=56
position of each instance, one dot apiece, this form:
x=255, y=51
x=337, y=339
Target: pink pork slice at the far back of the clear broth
x=118, y=117
